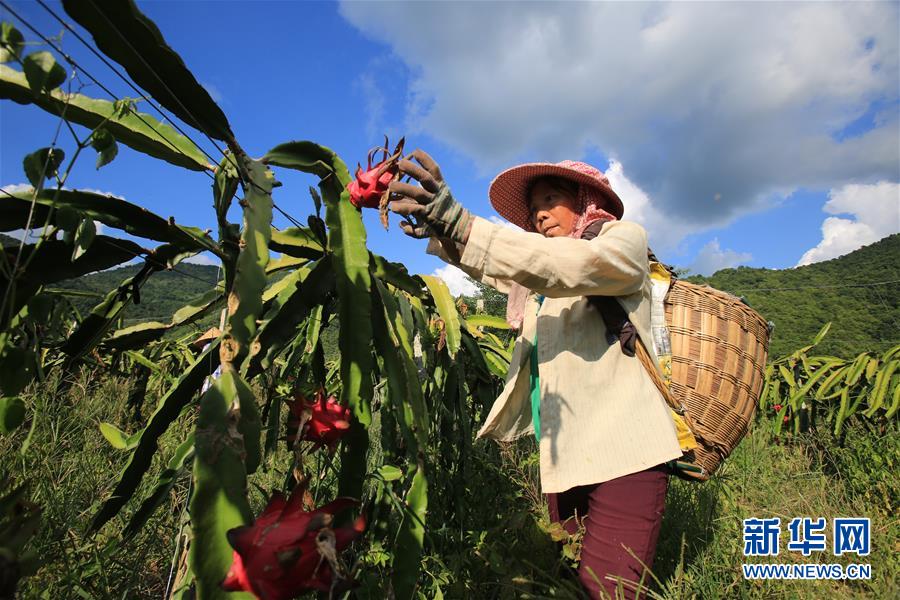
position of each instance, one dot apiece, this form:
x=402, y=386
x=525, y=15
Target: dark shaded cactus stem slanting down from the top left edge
x=123, y=33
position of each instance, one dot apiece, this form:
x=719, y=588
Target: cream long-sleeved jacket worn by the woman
x=601, y=415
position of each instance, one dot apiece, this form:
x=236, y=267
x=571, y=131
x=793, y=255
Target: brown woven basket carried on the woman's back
x=719, y=350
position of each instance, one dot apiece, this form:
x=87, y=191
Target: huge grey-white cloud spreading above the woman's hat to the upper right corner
x=713, y=107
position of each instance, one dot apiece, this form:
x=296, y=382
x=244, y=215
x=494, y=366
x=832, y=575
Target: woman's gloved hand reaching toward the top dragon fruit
x=436, y=212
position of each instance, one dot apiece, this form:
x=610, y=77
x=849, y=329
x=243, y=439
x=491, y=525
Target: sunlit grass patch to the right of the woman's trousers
x=700, y=549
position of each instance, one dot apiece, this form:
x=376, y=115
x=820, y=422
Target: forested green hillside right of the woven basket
x=859, y=293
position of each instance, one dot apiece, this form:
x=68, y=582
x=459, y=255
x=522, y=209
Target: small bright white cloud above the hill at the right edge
x=874, y=211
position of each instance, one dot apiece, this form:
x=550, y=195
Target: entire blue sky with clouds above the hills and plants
x=737, y=133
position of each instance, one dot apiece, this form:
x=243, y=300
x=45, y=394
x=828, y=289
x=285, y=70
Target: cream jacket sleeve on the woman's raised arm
x=612, y=264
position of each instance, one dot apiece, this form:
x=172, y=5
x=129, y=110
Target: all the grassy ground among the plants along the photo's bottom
x=498, y=548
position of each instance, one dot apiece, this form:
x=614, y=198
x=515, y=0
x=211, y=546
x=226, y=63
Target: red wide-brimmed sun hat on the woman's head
x=507, y=191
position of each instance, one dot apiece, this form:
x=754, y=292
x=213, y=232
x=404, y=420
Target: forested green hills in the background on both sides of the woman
x=859, y=293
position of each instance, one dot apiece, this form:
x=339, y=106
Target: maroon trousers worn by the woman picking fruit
x=621, y=512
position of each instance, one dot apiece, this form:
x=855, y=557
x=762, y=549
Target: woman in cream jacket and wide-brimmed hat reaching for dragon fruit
x=603, y=429
